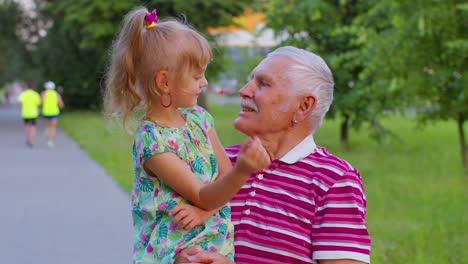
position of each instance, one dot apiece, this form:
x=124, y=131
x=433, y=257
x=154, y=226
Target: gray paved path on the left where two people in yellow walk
x=57, y=206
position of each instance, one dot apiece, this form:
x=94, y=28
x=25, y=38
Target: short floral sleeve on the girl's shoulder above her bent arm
x=149, y=142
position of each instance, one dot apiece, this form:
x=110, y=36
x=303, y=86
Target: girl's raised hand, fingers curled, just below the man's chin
x=252, y=156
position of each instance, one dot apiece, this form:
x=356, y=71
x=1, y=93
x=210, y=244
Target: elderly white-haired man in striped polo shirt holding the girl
x=308, y=206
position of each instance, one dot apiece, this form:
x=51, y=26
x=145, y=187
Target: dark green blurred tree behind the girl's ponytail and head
x=75, y=50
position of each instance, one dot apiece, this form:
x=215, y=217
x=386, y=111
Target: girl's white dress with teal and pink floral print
x=156, y=239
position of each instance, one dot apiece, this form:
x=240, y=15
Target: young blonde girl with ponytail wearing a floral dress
x=177, y=156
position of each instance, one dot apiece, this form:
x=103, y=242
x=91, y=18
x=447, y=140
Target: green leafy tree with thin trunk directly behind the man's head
x=331, y=30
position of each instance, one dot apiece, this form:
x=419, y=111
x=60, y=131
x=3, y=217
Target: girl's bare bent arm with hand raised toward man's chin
x=175, y=173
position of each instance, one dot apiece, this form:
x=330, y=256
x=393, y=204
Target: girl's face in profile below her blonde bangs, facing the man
x=186, y=92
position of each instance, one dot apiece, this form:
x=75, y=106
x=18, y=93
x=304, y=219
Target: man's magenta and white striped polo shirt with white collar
x=306, y=206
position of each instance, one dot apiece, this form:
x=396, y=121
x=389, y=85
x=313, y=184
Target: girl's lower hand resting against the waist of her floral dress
x=187, y=216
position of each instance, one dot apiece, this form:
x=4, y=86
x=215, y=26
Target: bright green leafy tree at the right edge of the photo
x=428, y=45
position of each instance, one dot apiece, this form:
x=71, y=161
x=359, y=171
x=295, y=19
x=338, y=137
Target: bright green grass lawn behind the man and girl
x=416, y=191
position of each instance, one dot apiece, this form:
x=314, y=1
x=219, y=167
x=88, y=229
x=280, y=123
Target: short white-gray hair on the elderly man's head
x=309, y=75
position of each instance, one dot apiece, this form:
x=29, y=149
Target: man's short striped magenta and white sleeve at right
x=339, y=228
